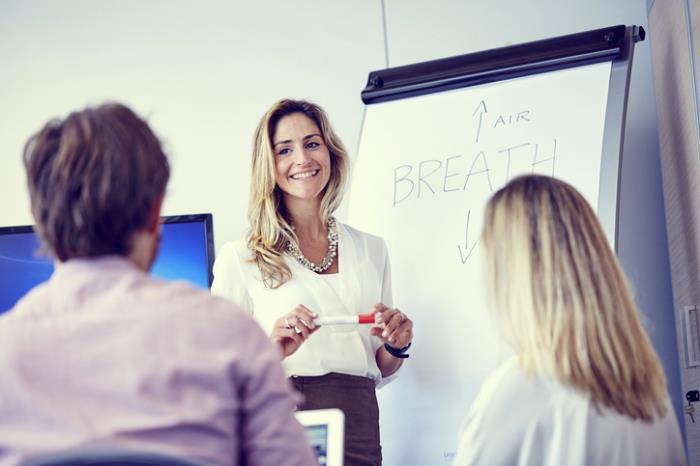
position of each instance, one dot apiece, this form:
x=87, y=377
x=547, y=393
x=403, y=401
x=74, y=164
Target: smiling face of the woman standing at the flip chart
x=302, y=159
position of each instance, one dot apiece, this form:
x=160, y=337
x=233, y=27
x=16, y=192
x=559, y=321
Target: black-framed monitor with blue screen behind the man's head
x=186, y=253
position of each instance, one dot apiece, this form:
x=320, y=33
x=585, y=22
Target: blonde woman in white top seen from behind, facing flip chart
x=585, y=387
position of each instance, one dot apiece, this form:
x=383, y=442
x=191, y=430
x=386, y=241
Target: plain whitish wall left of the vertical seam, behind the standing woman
x=203, y=73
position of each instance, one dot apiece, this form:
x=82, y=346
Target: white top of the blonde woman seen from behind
x=525, y=420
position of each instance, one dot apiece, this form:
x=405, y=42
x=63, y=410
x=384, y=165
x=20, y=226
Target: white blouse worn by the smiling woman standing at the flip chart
x=363, y=280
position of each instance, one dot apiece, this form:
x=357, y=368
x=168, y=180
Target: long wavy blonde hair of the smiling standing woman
x=270, y=229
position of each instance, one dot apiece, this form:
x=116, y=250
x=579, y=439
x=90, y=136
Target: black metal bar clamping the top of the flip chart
x=498, y=64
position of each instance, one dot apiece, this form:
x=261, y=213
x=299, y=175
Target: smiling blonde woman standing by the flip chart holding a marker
x=298, y=263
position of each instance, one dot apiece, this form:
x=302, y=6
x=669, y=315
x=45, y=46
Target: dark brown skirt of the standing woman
x=355, y=396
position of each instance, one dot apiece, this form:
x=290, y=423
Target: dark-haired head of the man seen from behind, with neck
x=96, y=181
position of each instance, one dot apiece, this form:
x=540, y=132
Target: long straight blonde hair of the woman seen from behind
x=561, y=299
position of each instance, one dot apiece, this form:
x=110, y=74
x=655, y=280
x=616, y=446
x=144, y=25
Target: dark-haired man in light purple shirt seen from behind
x=105, y=355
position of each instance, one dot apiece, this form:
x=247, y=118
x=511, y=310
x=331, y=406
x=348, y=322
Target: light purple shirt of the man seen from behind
x=105, y=355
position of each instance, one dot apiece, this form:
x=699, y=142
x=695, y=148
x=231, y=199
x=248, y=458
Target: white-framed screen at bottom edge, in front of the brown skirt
x=325, y=431
